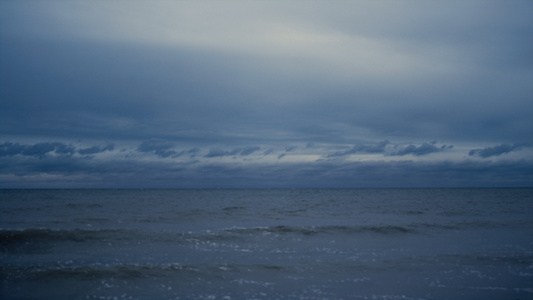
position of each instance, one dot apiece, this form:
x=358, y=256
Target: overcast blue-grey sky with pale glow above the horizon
x=266, y=94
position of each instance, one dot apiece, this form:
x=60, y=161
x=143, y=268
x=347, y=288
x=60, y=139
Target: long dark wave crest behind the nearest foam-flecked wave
x=39, y=240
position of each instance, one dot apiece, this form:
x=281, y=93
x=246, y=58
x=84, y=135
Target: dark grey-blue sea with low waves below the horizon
x=267, y=244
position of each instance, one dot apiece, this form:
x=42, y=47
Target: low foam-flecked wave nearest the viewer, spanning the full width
x=151, y=270
